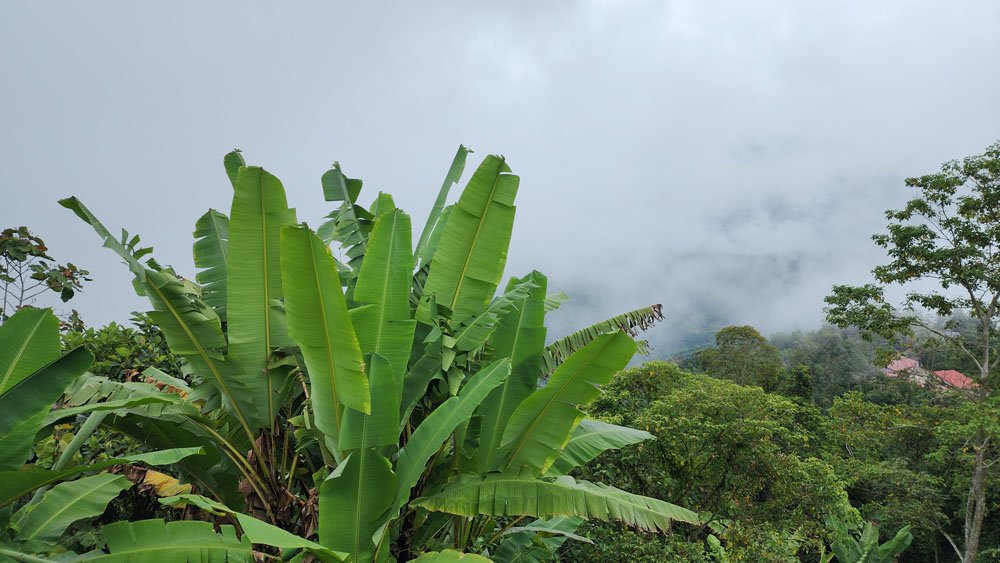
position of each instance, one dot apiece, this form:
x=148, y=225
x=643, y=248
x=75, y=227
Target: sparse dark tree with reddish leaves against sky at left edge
x=27, y=271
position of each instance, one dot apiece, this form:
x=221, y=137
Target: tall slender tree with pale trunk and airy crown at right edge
x=948, y=235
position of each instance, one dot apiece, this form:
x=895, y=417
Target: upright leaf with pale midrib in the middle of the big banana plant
x=384, y=325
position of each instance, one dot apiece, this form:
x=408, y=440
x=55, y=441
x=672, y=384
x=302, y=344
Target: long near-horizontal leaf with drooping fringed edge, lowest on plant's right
x=500, y=494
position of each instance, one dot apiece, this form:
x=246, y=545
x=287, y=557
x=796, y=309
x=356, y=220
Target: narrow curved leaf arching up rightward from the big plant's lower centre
x=435, y=429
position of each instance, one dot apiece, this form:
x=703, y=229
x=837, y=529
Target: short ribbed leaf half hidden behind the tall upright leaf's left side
x=211, y=254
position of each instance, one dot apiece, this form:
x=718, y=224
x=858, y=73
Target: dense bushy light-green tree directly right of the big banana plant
x=747, y=461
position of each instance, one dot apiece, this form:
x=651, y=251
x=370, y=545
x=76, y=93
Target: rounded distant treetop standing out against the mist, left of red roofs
x=742, y=355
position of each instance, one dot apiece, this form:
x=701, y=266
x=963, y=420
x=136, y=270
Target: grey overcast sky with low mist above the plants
x=726, y=159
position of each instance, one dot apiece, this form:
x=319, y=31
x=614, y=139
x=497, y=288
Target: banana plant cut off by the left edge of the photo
x=33, y=377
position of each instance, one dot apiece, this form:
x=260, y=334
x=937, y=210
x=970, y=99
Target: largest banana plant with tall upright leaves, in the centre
x=384, y=400
